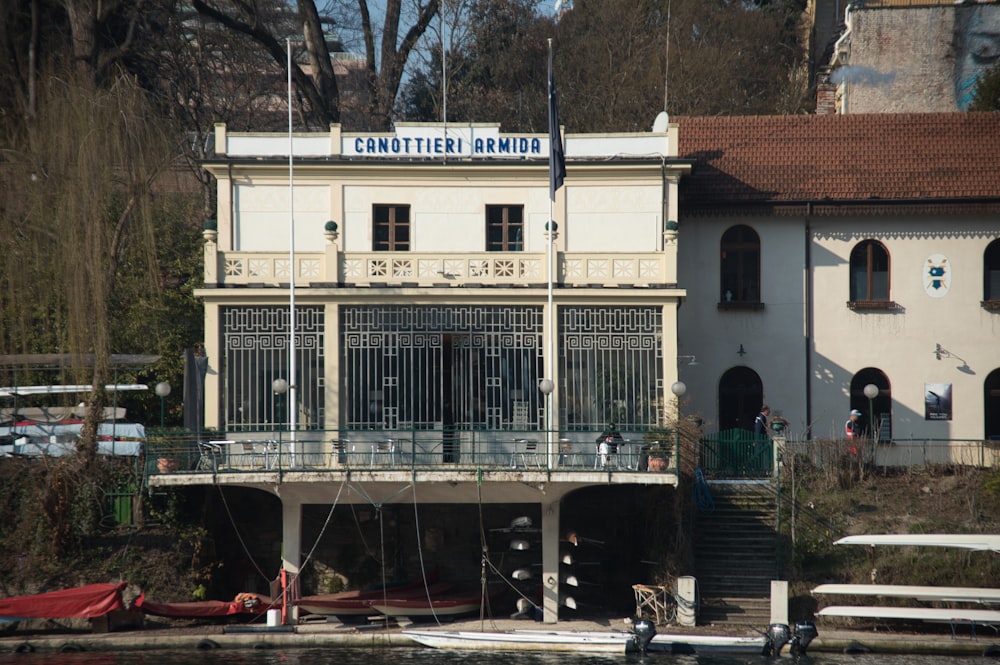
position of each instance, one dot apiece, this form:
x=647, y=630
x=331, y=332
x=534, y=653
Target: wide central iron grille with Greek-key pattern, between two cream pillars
x=442, y=367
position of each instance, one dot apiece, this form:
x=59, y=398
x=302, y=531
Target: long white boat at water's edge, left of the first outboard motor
x=528, y=640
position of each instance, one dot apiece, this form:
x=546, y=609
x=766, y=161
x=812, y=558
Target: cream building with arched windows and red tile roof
x=821, y=254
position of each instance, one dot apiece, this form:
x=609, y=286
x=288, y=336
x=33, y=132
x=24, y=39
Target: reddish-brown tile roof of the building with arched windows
x=838, y=158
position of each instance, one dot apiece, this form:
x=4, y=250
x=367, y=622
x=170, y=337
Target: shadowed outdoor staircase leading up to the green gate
x=736, y=554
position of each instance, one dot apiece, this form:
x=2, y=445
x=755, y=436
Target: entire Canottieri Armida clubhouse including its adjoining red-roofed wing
x=445, y=340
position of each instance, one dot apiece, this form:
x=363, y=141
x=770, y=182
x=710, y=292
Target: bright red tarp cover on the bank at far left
x=86, y=602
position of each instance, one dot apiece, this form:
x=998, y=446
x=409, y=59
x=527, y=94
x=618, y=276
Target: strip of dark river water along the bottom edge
x=424, y=656
